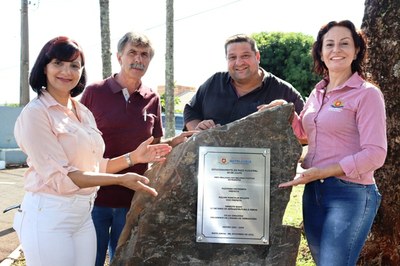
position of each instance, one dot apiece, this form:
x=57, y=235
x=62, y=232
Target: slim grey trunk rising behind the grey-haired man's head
x=105, y=37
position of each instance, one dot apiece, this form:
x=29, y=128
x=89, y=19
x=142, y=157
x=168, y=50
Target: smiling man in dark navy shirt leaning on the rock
x=228, y=96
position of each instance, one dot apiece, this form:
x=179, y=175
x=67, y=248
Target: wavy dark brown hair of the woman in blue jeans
x=360, y=42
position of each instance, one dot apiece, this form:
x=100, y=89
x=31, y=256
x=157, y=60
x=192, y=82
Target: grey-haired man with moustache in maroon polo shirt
x=127, y=113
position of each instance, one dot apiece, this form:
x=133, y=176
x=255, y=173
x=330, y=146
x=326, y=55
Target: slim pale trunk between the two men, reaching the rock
x=169, y=72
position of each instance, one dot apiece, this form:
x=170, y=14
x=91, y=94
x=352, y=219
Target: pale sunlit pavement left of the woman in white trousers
x=11, y=193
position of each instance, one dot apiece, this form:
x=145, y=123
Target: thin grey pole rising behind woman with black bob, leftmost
x=24, y=60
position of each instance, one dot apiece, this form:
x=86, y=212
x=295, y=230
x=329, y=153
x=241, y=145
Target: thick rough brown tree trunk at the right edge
x=381, y=24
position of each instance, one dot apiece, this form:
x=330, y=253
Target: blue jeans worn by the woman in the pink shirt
x=338, y=216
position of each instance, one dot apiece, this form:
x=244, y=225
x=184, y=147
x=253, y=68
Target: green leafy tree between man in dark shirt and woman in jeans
x=288, y=56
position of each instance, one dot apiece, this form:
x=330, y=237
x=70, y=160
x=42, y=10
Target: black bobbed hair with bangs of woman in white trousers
x=63, y=49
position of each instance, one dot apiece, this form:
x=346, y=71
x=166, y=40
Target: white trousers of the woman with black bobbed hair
x=56, y=230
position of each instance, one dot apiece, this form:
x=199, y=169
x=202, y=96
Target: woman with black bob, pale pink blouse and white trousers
x=65, y=157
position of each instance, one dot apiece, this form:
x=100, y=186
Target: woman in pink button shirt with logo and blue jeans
x=344, y=122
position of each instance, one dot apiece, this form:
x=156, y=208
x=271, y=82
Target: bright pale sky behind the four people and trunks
x=200, y=31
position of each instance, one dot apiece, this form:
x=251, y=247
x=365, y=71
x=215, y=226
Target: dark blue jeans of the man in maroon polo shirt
x=109, y=223
